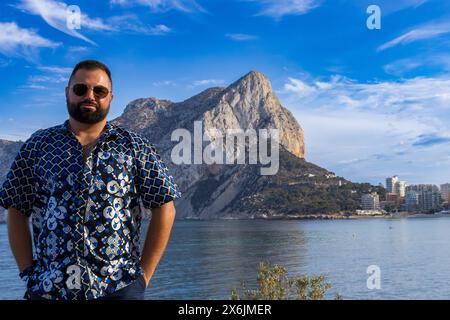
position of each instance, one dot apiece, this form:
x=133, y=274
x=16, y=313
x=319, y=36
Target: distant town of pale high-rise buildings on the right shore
x=403, y=198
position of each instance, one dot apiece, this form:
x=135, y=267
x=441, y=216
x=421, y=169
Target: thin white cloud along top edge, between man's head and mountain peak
x=162, y=5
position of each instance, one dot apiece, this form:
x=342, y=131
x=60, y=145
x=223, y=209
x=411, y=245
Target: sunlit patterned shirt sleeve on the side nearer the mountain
x=154, y=183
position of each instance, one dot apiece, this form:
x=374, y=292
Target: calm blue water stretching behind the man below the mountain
x=206, y=259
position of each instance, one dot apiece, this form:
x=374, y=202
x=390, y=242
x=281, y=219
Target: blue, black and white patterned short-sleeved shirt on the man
x=86, y=216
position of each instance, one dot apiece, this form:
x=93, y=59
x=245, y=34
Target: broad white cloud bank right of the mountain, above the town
x=368, y=131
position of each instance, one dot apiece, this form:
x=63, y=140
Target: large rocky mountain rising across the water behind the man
x=210, y=191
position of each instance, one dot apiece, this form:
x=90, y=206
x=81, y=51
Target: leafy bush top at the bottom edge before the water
x=274, y=284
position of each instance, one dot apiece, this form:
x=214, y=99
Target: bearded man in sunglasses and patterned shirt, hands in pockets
x=82, y=183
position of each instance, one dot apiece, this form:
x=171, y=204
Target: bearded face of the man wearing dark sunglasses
x=89, y=107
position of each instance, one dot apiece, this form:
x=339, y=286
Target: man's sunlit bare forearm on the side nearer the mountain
x=157, y=238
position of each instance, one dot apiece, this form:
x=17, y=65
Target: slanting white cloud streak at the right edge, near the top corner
x=428, y=31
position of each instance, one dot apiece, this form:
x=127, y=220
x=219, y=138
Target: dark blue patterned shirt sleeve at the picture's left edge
x=17, y=190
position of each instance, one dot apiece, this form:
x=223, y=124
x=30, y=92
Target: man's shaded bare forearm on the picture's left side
x=20, y=238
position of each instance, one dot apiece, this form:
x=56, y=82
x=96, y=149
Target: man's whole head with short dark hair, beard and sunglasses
x=89, y=92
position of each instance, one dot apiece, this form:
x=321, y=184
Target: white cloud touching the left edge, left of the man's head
x=17, y=41
